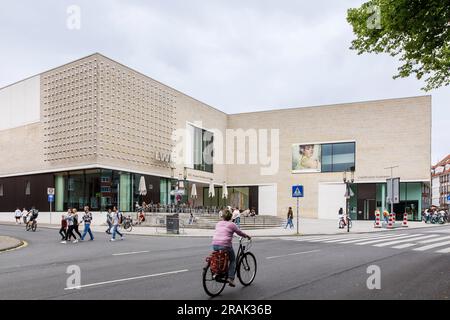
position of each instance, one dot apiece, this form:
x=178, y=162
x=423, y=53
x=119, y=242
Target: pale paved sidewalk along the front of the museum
x=306, y=227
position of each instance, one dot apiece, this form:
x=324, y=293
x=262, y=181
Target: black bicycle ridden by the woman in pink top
x=246, y=268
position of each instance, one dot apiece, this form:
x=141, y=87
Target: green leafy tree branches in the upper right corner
x=416, y=30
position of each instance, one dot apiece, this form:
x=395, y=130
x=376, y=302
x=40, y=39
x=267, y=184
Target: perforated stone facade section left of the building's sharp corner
x=69, y=111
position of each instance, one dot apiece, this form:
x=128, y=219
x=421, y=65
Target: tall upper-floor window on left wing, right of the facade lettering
x=202, y=149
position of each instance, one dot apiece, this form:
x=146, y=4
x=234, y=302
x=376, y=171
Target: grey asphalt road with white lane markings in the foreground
x=142, y=267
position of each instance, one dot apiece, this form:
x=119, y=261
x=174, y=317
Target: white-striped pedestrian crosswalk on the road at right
x=418, y=242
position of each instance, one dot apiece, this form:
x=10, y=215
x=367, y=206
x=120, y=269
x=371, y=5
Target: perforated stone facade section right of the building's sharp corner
x=137, y=115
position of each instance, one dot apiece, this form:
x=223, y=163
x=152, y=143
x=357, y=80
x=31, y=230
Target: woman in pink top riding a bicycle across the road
x=222, y=240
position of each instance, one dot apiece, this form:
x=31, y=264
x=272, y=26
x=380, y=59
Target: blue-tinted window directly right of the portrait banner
x=338, y=157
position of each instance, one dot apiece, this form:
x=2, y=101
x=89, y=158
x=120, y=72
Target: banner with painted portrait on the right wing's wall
x=306, y=158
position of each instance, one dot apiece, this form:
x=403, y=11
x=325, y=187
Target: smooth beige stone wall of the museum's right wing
x=386, y=132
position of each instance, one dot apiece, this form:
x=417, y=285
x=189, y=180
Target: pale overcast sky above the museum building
x=234, y=55
